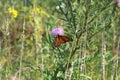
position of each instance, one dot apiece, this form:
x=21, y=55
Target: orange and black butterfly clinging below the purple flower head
x=61, y=39
